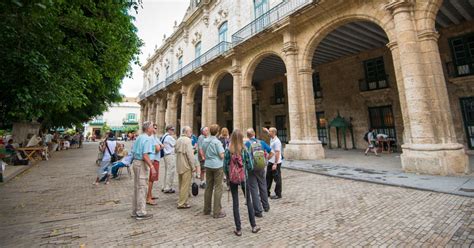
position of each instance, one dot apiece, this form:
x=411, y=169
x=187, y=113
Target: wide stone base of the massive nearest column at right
x=435, y=159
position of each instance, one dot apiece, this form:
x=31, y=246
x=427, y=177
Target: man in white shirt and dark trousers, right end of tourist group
x=274, y=163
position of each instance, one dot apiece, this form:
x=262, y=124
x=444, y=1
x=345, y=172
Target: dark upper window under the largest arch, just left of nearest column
x=375, y=77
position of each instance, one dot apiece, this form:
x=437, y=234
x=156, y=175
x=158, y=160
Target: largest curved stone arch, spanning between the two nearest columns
x=331, y=25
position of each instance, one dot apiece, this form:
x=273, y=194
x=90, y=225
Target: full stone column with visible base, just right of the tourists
x=303, y=143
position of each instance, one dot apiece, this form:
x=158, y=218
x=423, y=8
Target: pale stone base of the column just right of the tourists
x=304, y=150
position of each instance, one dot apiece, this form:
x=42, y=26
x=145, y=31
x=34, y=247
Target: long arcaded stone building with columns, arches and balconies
x=403, y=67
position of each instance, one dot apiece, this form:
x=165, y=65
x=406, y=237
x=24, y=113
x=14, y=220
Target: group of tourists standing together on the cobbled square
x=214, y=157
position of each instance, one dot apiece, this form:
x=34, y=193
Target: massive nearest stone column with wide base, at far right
x=430, y=146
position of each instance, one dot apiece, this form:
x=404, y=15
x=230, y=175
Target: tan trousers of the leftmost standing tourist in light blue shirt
x=141, y=173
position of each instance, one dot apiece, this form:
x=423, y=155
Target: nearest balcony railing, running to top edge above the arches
x=269, y=18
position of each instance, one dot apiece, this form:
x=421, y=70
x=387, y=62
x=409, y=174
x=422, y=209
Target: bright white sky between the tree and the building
x=155, y=19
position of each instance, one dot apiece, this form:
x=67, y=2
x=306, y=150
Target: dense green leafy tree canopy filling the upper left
x=62, y=62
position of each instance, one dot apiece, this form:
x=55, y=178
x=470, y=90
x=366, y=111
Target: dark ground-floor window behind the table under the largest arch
x=381, y=118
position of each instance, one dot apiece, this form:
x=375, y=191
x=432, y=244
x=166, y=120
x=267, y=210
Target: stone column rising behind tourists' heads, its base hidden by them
x=240, y=100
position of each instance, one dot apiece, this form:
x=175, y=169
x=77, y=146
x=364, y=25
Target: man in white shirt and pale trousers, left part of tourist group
x=169, y=159
